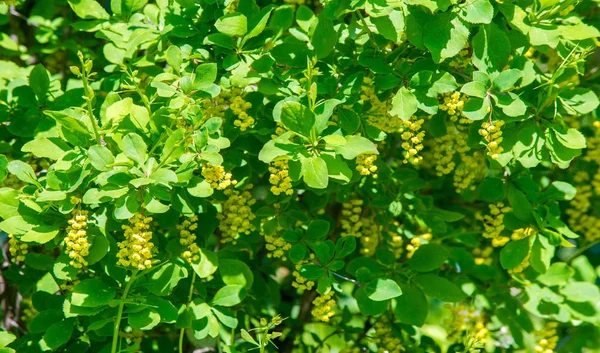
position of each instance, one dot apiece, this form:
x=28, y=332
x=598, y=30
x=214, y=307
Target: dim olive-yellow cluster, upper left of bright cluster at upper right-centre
x=378, y=115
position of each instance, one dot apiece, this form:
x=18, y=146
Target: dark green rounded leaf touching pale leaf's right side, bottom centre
x=412, y=306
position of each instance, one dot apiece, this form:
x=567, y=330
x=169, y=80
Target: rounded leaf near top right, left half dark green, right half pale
x=446, y=36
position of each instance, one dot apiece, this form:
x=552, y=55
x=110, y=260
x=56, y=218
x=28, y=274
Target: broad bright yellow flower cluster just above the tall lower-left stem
x=136, y=250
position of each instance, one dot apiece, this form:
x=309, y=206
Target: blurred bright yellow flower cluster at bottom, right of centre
x=468, y=321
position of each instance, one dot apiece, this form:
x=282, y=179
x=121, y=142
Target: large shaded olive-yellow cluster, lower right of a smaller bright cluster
x=236, y=217
